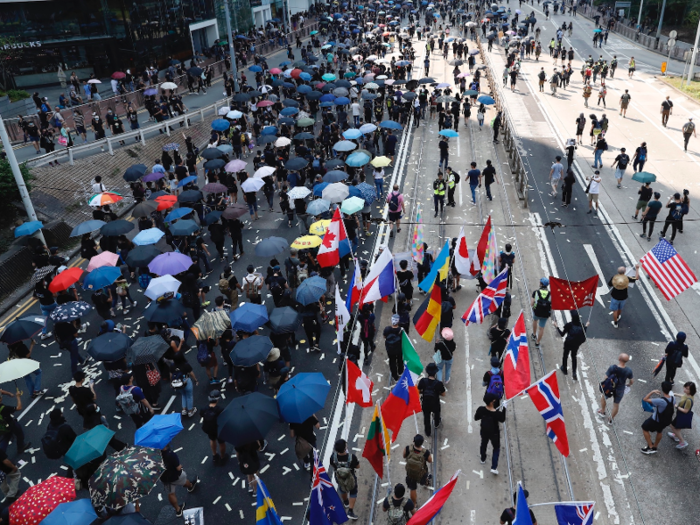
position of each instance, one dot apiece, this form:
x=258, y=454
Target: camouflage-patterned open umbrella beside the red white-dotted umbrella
x=126, y=476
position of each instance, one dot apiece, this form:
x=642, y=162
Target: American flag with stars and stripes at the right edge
x=668, y=270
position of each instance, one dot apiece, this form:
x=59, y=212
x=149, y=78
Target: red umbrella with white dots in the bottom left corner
x=41, y=499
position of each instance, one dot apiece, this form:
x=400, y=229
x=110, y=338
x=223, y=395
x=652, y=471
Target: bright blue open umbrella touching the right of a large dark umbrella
x=302, y=396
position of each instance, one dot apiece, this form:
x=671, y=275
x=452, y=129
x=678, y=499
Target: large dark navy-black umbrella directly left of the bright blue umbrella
x=247, y=419
